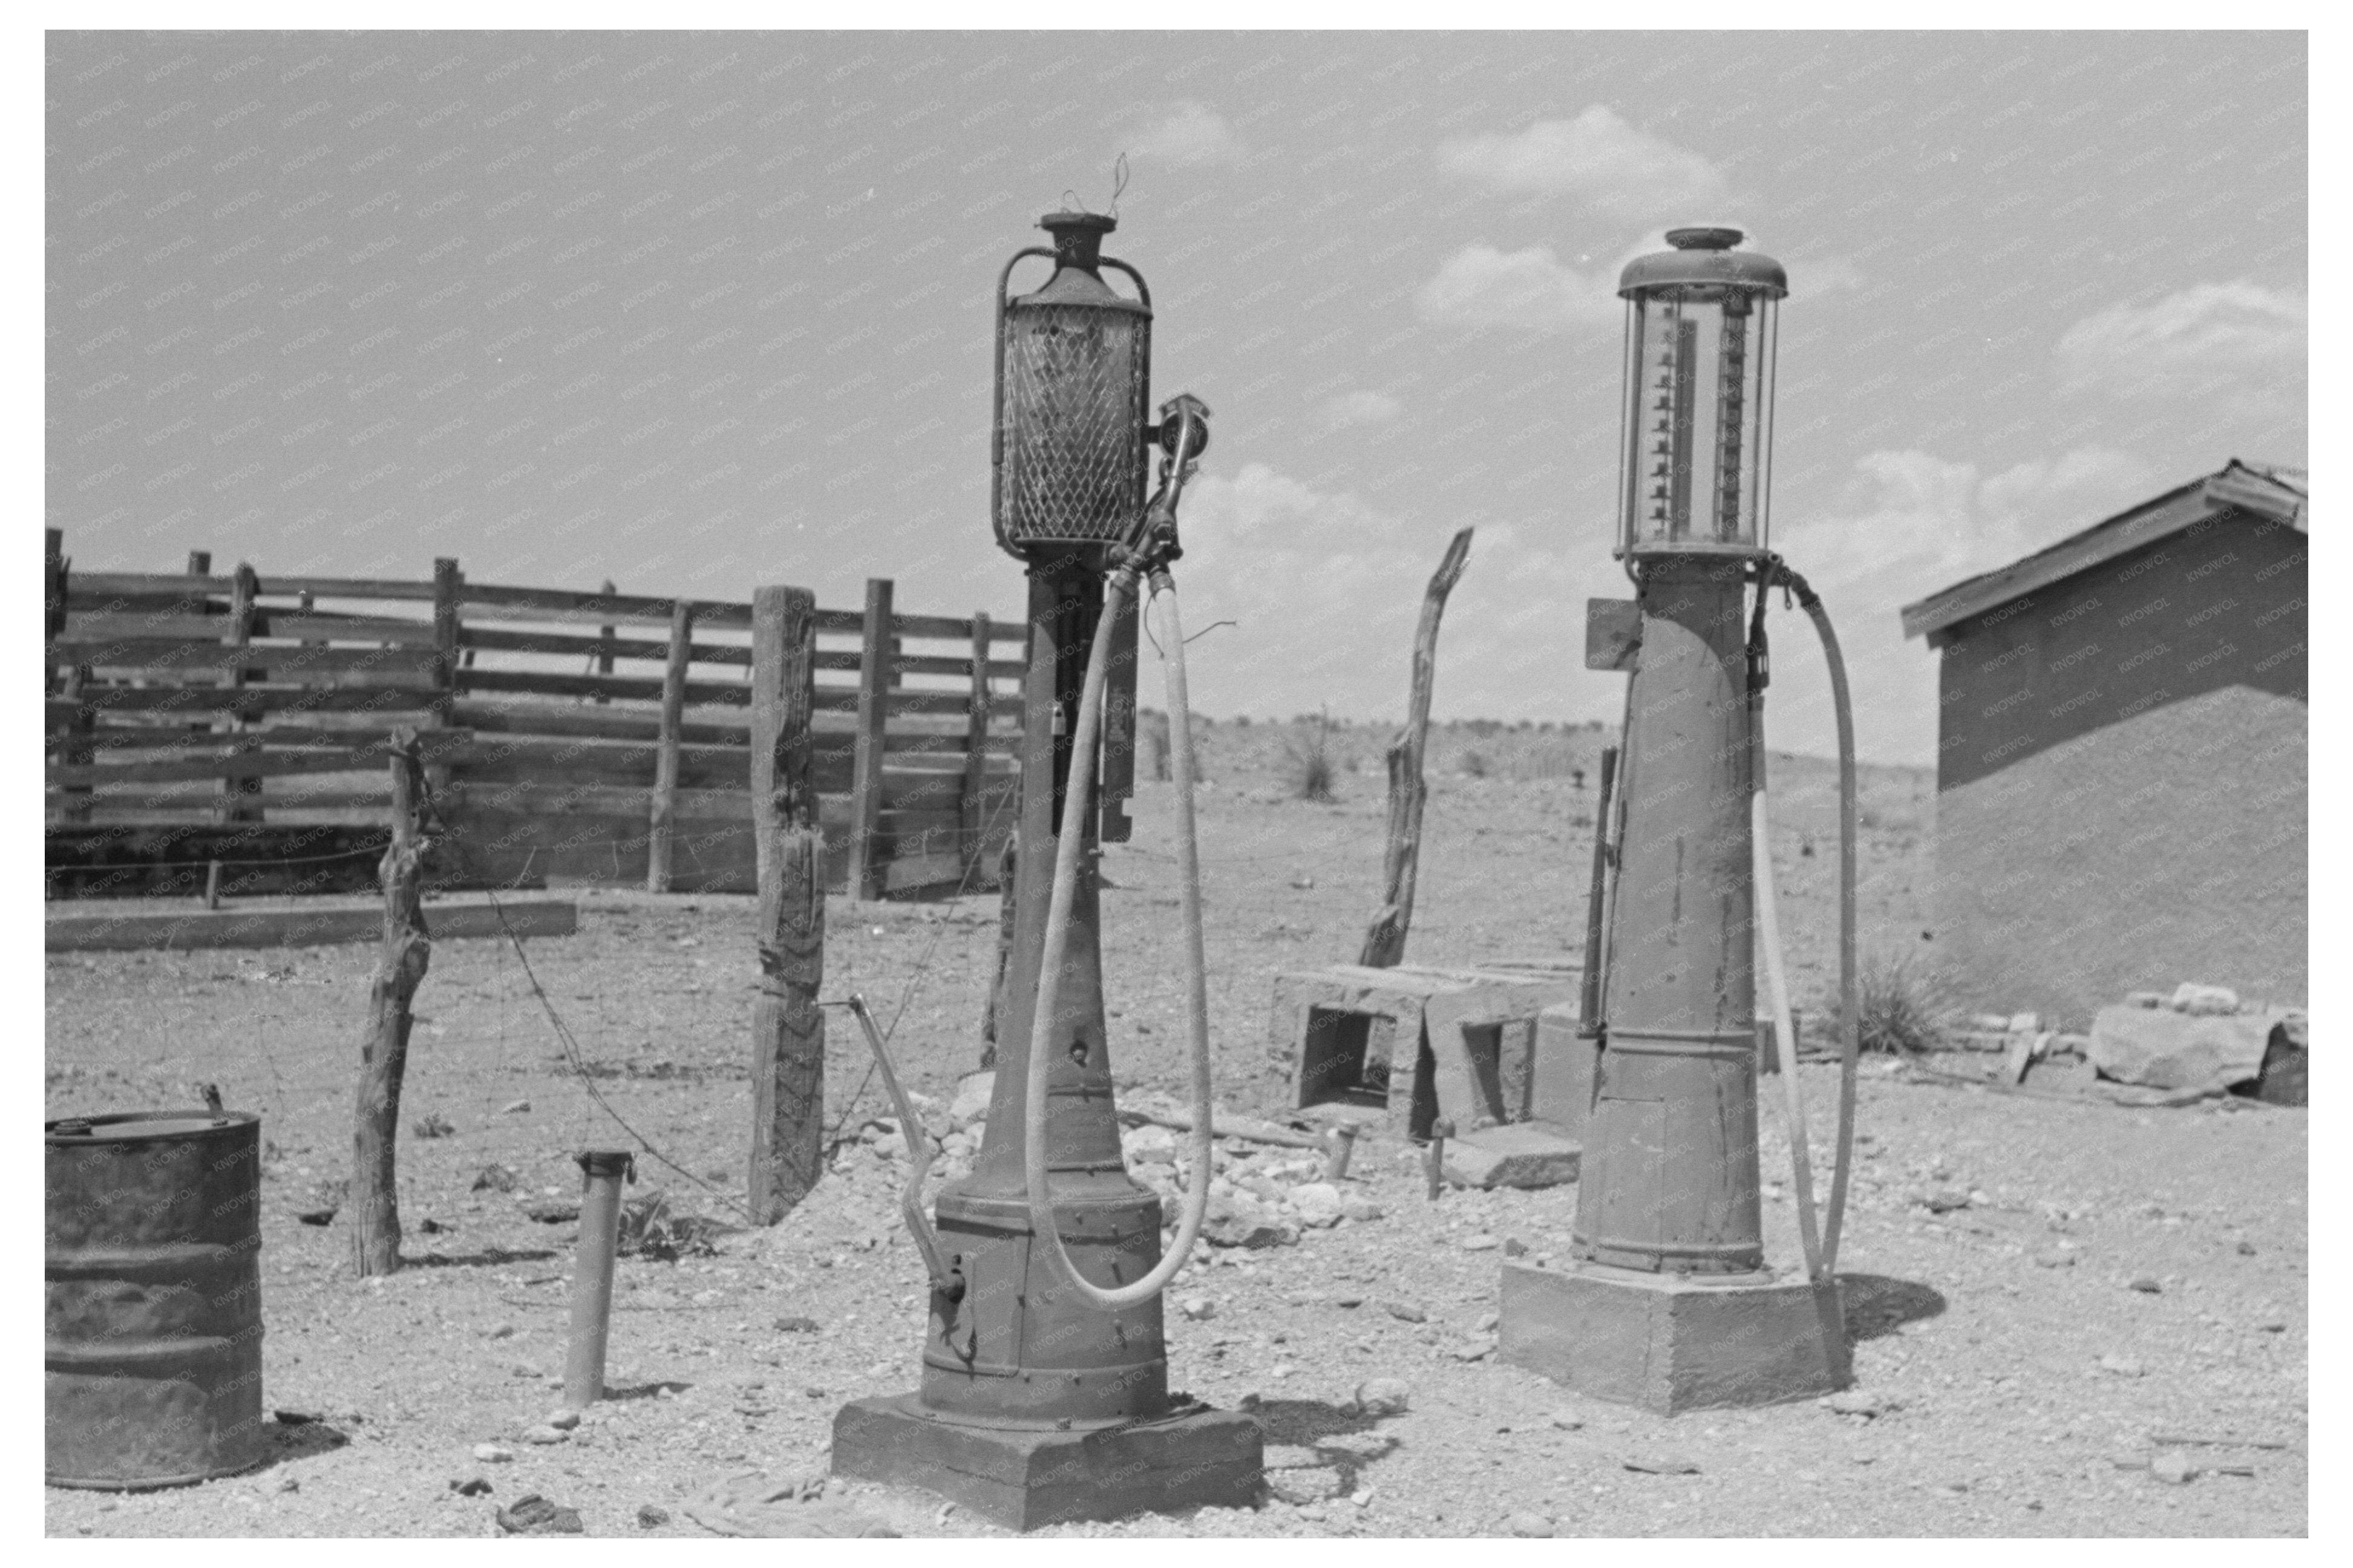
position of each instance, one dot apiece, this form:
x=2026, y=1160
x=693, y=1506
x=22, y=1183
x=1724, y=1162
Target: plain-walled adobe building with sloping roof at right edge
x=2121, y=757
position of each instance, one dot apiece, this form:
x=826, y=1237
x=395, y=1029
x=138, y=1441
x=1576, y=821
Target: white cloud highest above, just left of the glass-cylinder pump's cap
x=1597, y=159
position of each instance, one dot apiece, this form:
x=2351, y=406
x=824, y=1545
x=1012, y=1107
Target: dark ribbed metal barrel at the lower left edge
x=154, y=1298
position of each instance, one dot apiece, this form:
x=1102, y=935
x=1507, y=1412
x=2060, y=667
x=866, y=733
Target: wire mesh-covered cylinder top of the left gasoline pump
x=1074, y=366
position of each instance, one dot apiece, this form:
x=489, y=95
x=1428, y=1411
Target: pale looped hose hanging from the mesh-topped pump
x=1058, y=941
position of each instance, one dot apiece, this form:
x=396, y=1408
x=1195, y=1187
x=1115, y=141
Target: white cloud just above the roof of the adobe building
x=2218, y=343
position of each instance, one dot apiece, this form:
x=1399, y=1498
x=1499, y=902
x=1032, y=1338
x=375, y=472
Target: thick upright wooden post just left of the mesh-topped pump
x=789, y=1030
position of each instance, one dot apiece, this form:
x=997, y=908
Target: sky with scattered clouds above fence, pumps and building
x=709, y=312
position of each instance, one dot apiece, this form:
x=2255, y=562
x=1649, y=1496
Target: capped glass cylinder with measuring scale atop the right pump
x=1700, y=366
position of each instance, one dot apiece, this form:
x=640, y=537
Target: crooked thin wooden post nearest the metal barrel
x=385, y=1054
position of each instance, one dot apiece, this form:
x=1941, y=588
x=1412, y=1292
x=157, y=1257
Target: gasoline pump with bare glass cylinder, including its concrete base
x=1667, y=1301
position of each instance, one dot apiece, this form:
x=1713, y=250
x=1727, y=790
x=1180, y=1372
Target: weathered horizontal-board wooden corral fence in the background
x=568, y=738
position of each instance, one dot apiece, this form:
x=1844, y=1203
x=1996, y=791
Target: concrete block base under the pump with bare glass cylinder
x=1669, y=1343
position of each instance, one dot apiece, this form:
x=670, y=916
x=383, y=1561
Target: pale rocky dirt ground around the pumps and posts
x=2074, y=1320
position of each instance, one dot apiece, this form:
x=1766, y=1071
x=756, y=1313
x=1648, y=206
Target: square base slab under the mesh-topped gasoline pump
x=1025, y=1477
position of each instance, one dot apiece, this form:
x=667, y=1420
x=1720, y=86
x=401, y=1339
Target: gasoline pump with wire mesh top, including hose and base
x=1044, y=1369
